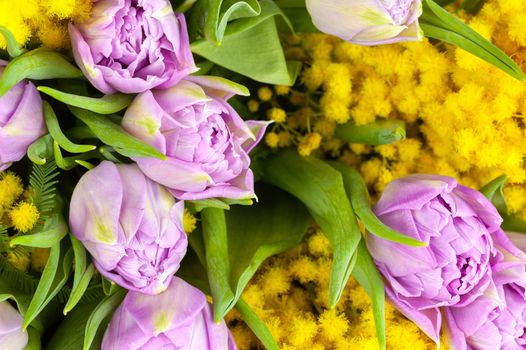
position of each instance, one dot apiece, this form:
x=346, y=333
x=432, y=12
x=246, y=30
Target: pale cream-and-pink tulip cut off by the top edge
x=368, y=22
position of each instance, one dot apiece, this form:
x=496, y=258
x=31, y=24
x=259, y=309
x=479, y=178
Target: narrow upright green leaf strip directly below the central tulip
x=217, y=261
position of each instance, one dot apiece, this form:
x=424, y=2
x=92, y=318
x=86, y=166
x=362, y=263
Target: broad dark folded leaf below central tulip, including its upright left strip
x=233, y=256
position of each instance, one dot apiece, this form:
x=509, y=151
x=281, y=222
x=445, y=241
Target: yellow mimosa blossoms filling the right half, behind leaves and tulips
x=464, y=118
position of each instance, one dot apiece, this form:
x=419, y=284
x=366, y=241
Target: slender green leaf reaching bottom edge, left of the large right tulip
x=367, y=275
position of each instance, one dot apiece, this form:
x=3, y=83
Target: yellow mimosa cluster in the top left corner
x=41, y=22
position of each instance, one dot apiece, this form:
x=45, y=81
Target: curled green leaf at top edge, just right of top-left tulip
x=212, y=16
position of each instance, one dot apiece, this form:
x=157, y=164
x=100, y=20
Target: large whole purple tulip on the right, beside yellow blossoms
x=455, y=268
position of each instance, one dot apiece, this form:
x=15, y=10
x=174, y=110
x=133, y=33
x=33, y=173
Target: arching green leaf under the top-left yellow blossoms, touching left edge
x=38, y=64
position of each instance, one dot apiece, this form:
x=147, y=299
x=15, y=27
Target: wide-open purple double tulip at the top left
x=132, y=46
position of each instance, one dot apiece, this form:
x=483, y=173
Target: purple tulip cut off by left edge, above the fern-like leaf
x=21, y=121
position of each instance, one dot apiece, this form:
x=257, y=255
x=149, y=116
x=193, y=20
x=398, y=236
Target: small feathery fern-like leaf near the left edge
x=42, y=180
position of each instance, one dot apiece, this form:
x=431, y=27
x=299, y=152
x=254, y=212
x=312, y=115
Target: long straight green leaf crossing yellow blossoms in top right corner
x=439, y=24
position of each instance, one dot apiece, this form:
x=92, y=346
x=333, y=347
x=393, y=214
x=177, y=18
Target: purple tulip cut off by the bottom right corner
x=497, y=319
